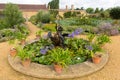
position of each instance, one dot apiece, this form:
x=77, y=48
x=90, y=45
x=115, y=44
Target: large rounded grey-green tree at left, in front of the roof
x=13, y=15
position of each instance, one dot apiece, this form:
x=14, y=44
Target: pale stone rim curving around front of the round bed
x=44, y=71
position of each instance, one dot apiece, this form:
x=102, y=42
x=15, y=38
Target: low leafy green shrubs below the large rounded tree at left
x=20, y=31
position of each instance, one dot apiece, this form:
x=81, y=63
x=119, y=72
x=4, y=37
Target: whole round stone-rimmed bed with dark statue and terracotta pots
x=60, y=55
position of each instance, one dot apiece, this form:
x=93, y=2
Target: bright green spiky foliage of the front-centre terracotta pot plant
x=61, y=56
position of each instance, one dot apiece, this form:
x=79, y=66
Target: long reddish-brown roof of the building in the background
x=27, y=7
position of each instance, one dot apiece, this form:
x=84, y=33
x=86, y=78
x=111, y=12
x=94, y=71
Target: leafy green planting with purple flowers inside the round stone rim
x=67, y=51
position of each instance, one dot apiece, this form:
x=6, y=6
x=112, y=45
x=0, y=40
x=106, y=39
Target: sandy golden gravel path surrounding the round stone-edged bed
x=111, y=71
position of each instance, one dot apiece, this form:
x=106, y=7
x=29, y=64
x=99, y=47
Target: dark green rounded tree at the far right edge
x=115, y=13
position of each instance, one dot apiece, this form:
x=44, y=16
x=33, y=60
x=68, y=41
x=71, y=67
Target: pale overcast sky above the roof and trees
x=77, y=3
